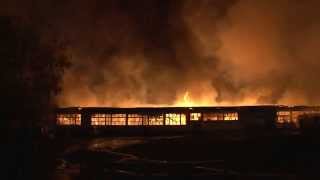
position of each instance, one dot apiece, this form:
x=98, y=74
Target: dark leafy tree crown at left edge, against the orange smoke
x=31, y=71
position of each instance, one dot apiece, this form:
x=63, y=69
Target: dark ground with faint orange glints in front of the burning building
x=224, y=155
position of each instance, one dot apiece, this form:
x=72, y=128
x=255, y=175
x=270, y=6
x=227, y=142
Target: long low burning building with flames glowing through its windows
x=181, y=118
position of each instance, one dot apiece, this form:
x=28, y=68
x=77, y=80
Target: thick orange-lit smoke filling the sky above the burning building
x=151, y=52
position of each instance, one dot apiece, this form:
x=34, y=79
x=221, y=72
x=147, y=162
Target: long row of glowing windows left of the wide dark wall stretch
x=140, y=119
